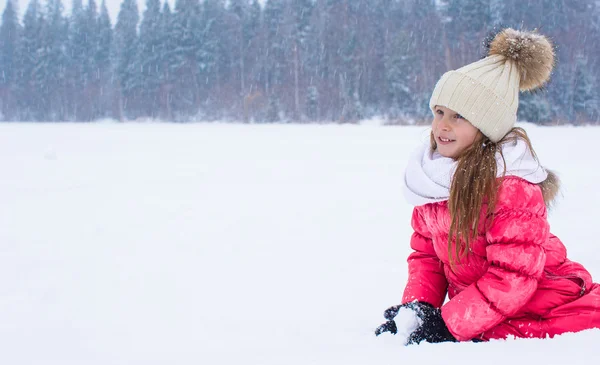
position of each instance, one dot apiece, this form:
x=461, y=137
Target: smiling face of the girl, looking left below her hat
x=452, y=133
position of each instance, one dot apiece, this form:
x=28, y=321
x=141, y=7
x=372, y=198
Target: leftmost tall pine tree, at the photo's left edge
x=9, y=57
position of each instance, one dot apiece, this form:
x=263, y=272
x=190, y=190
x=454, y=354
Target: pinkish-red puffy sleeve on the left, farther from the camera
x=426, y=279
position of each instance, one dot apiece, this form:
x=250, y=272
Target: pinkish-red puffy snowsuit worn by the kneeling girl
x=516, y=279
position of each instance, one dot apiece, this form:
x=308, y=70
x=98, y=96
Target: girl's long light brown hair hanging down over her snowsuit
x=475, y=183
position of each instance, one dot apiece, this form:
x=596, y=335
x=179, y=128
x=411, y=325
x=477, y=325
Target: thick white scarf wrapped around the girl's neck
x=428, y=176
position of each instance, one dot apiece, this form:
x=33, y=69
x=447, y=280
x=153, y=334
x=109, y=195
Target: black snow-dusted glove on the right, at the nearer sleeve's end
x=433, y=329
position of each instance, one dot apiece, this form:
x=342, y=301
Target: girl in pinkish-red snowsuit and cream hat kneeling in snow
x=481, y=197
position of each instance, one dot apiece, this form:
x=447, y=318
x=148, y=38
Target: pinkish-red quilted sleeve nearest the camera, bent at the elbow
x=516, y=262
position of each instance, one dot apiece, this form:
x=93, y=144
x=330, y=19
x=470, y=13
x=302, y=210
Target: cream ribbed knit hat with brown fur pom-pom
x=486, y=92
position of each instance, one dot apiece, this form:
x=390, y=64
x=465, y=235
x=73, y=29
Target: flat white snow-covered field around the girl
x=235, y=244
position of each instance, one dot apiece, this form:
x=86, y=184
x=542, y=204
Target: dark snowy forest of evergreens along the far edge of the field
x=281, y=61
